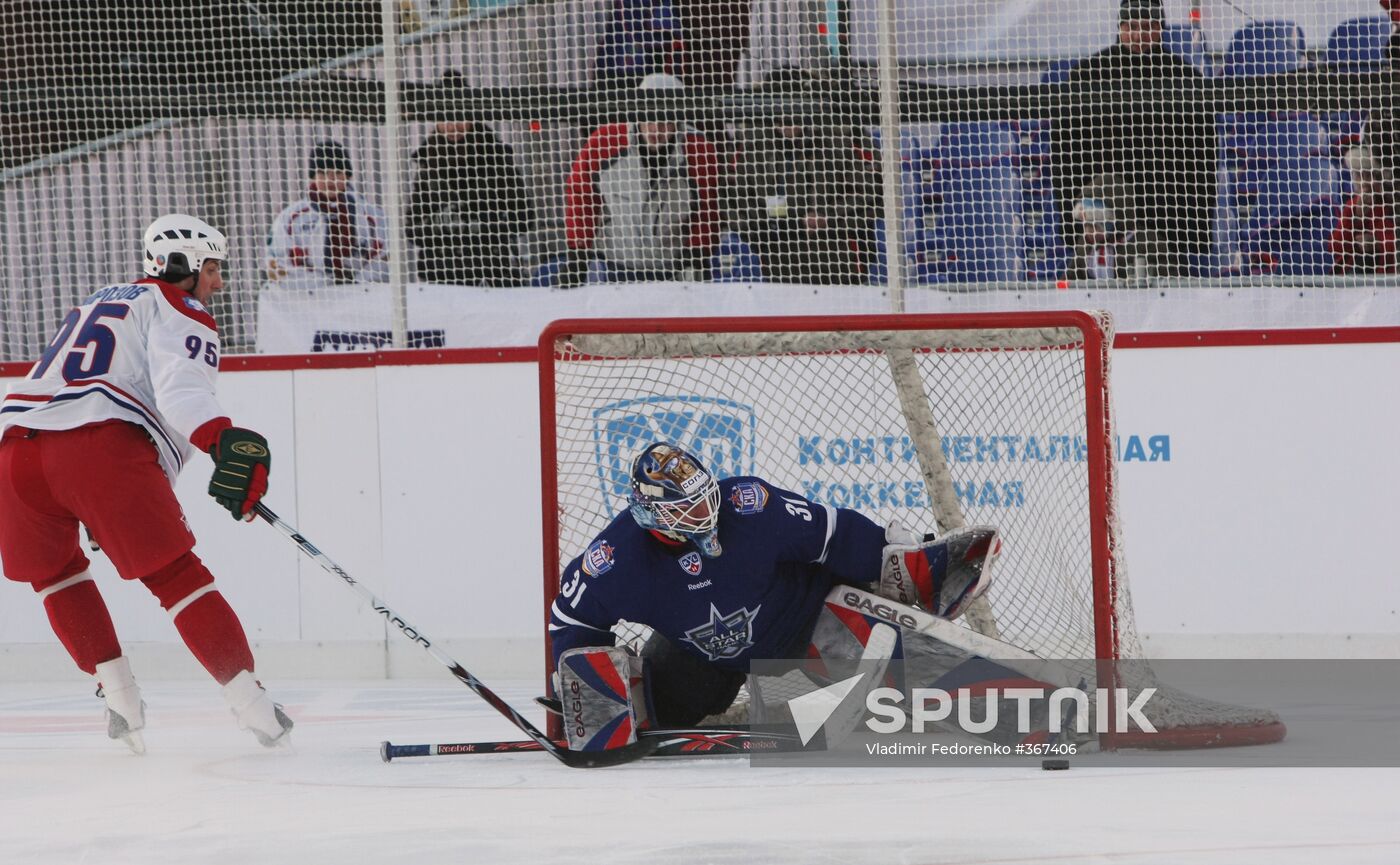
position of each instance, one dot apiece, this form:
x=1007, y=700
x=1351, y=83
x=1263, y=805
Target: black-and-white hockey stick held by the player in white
x=569, y=758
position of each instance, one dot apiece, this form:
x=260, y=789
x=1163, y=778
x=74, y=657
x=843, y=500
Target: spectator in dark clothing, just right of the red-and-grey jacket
x=808, y=192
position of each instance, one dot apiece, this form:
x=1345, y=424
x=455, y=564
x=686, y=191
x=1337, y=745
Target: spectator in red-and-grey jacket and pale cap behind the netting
x=643, y=199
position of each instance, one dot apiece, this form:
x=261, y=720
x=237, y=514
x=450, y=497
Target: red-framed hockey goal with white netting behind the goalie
x=929, y=421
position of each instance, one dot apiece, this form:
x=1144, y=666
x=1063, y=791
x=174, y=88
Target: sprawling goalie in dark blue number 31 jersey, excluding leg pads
x=726, y=572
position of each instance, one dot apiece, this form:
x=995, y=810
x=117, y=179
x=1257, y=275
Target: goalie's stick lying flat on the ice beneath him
x=688, y=743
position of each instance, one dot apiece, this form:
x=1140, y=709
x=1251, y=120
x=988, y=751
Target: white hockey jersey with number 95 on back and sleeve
x=142, y=352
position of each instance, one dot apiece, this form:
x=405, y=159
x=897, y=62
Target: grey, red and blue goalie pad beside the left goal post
x=601, y=691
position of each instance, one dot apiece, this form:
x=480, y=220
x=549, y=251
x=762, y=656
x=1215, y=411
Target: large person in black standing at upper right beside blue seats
x=1135, y=113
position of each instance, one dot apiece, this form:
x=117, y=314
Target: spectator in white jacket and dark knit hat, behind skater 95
x=334, y=234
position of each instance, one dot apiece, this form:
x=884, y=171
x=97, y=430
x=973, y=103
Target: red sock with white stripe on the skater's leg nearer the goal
x=204, y=619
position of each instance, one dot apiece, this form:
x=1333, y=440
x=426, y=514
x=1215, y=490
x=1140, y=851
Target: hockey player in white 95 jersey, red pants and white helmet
x=97, y=432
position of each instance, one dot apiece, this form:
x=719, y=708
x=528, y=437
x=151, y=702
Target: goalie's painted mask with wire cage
x=674, y=495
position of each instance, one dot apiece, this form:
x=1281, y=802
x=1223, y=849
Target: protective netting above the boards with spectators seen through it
x=1189, y=164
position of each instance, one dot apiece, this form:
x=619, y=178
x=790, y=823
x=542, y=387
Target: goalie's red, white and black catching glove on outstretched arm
x=941, y=576
